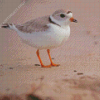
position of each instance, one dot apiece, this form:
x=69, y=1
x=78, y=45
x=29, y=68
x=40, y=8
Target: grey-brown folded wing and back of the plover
x=39, y=24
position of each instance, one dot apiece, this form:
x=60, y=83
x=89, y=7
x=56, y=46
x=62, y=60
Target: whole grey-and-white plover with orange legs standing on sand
x=46, y=32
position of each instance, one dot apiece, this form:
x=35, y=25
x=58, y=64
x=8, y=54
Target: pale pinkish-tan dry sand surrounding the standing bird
x=77, y=77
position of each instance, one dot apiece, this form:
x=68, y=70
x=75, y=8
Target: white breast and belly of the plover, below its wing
x=52, y=38
